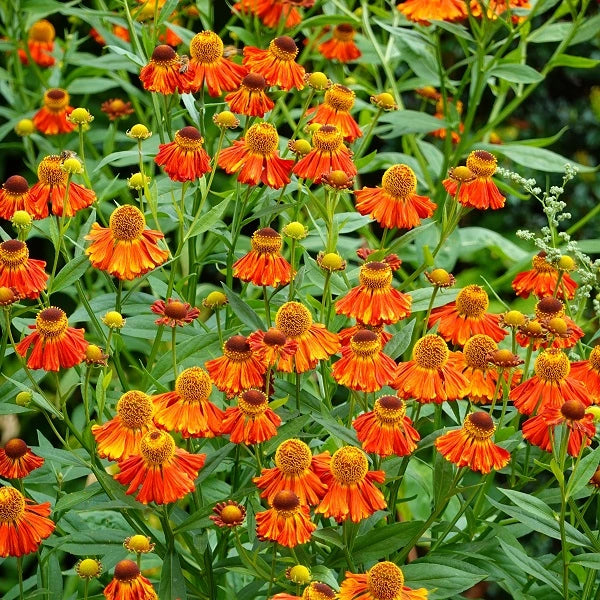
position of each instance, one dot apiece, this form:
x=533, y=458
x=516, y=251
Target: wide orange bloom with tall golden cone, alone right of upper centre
x=395, y=203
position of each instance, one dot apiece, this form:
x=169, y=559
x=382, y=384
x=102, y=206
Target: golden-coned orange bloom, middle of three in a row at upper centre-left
x=256, y=158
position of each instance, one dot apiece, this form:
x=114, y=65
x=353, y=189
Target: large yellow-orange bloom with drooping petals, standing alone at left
x=125, y=249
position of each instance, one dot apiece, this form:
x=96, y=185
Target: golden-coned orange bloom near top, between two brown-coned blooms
x=207, y=65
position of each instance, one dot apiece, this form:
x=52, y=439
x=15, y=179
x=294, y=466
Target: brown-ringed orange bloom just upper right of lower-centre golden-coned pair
x=386, y=429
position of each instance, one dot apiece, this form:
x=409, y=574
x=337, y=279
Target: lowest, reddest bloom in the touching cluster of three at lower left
x=163, y=472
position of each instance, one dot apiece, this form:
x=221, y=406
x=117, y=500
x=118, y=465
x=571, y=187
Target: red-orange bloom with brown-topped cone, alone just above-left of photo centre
x=264, y=264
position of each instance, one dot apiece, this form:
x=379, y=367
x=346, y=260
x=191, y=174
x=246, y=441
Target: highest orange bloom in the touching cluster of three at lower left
x=188, y=410
